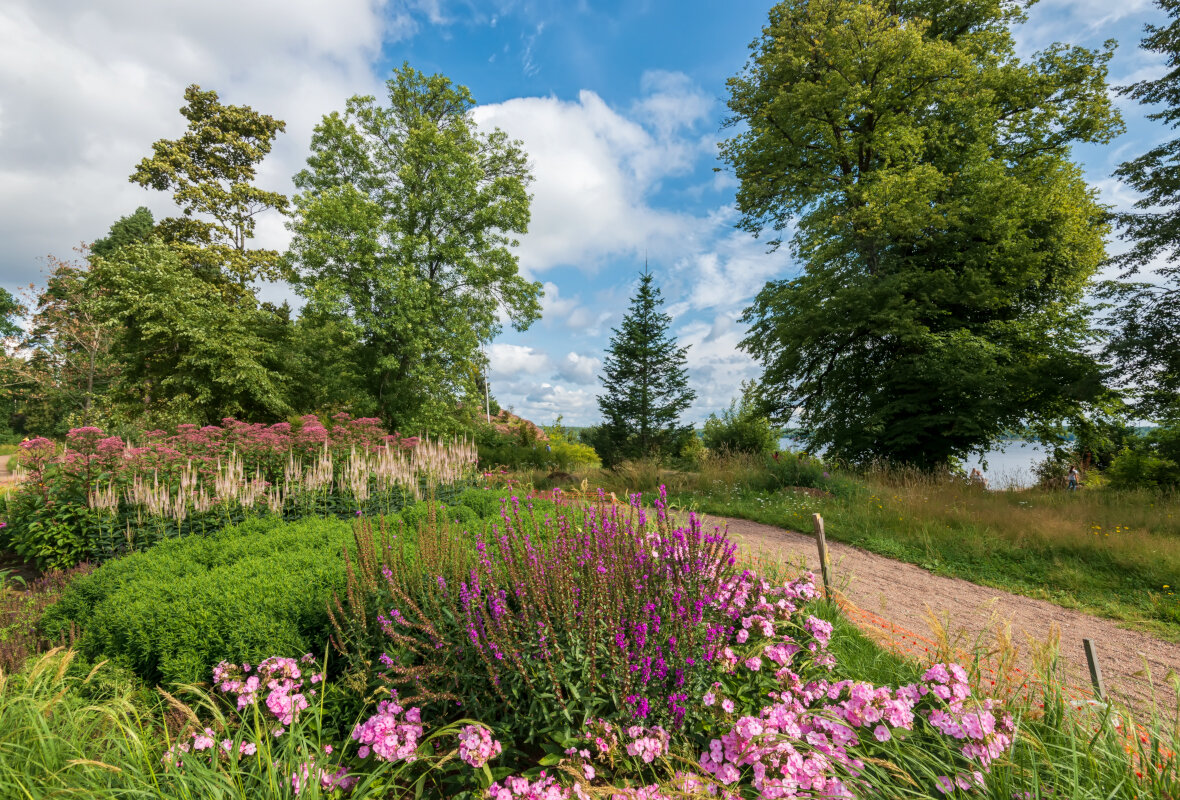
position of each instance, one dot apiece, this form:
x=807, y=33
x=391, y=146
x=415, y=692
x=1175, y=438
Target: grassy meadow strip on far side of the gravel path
x=1112, y=554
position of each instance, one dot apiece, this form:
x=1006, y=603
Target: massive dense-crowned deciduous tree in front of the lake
x=946, y=239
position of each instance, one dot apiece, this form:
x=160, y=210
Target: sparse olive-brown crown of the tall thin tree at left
x=211, y=172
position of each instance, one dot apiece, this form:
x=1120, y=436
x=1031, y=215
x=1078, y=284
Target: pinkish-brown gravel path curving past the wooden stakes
x=901, y=594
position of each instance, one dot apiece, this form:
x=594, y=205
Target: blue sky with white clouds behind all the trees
x=619, y=104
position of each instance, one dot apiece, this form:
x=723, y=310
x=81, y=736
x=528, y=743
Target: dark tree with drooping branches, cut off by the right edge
x=1146, y=324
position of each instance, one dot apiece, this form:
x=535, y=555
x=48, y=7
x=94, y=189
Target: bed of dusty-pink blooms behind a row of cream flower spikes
x=99, y=496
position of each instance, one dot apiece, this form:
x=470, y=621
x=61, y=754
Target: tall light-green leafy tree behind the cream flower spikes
x=405, y=232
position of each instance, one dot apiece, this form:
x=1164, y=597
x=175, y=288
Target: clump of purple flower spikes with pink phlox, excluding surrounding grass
x=622, y=651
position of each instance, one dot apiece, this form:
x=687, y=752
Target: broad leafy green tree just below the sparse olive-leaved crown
x=185, y=350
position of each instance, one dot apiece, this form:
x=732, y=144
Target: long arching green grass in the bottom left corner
x=97, y=736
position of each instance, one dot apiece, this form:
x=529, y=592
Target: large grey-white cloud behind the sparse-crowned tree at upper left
x=87, y=88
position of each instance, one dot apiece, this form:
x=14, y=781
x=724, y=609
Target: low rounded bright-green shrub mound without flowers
x=246, y=593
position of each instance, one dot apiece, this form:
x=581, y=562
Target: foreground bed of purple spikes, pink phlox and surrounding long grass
x=707, y=680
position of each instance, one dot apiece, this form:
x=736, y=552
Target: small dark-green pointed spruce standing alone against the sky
x=646, y=382
